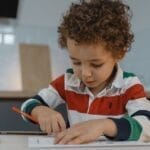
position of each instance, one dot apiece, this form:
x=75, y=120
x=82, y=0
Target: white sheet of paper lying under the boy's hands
x=48, y=141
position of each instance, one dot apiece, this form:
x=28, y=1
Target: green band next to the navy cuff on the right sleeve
x=136, y=129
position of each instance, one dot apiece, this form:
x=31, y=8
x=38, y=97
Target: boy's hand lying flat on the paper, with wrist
x=86, y=132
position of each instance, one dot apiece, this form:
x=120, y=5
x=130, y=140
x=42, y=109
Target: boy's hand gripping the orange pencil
x=50, y=121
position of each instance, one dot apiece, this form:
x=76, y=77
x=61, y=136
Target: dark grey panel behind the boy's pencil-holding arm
x=12, y=123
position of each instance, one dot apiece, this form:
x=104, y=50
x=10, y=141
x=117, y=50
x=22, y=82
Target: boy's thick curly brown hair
x=98, y=21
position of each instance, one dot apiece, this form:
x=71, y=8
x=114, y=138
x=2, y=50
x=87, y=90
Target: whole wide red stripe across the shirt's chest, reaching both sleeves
x=112, y=105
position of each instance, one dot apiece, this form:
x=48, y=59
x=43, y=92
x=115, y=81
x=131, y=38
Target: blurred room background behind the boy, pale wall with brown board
x=30, y=56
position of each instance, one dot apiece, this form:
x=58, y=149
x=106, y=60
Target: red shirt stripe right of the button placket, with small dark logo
x=115, y=105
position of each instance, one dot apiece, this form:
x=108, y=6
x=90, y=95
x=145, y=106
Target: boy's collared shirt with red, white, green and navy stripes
x=123, y=101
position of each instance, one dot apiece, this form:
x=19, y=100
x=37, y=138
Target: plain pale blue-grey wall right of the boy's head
x=138, y=59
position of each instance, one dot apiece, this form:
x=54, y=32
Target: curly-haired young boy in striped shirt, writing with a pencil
x=101, y=98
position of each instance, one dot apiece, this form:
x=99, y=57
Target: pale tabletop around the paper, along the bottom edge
x=20, y=142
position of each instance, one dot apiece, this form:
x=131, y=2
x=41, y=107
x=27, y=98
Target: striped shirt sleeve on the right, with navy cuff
x=135, y=125
